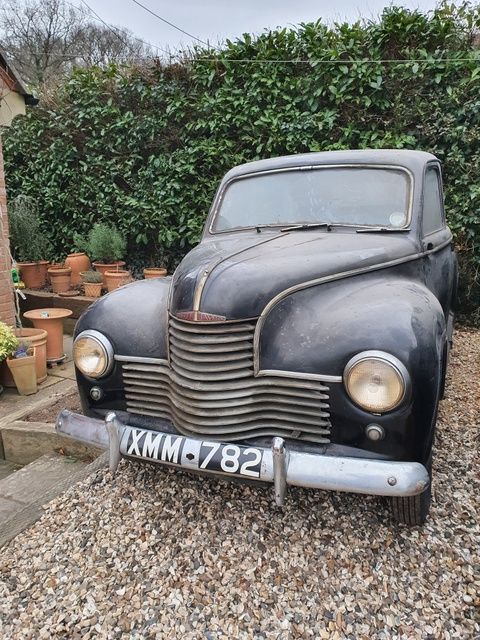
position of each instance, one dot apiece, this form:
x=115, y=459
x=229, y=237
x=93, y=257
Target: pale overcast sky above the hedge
x=214, y=20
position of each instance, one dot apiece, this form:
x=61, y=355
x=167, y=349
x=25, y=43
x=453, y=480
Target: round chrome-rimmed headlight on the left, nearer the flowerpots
x=93, y=354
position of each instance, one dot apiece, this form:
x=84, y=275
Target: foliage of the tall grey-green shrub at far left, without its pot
x=29, y=243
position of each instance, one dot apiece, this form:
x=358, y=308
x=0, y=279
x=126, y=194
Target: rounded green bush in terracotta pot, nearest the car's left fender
x=106, y=246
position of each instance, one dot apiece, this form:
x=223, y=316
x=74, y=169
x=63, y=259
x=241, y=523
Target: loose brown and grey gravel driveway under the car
x=161, y=554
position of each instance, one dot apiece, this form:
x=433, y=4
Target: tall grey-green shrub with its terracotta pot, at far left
x=29, y=243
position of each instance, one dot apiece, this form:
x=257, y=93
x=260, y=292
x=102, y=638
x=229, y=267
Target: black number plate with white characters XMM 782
x=193, y=454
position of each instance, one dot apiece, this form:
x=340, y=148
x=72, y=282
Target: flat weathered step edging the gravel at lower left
x=24, y=492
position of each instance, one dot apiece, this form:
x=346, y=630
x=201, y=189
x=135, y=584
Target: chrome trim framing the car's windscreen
x=315, y=167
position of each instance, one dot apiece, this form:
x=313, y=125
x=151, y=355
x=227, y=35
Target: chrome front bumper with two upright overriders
x=280, y=466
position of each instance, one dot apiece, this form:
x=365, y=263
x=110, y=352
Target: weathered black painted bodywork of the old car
x=395, y=295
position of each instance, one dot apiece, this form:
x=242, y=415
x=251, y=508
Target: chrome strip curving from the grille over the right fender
x=324, y=279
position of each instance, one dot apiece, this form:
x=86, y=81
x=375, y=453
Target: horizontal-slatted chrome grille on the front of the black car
x=209, y=388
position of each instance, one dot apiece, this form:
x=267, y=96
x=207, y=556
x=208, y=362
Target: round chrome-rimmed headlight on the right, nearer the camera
x=376, y=381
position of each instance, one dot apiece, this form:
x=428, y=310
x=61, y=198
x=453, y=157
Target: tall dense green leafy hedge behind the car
x=145, y=147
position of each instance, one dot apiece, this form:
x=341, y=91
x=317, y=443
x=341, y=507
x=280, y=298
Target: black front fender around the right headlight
x=317, y=330
